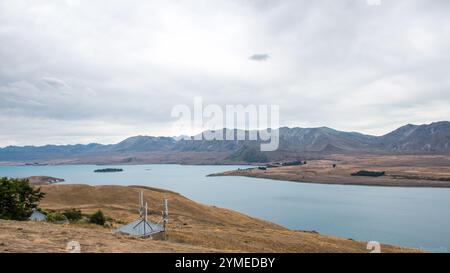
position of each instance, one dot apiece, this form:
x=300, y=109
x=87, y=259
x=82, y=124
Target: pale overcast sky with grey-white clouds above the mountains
x=81, y=71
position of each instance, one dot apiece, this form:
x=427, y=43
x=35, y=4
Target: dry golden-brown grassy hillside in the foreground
x=193, y=227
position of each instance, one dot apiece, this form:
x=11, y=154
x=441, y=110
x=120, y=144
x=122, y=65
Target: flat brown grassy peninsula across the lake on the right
x=401, y=171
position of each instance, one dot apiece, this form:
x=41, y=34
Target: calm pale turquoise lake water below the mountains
x=412, y=217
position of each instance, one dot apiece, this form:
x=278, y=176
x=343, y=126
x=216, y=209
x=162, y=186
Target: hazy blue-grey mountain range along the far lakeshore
x=296, y=142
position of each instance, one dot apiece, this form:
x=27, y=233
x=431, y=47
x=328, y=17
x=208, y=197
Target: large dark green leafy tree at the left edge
x=18, y=198
